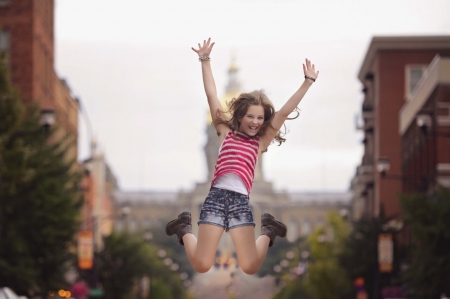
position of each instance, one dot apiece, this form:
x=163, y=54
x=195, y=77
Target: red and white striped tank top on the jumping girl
x=238, y=155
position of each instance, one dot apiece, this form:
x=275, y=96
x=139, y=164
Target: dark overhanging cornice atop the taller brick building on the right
x=379, y=43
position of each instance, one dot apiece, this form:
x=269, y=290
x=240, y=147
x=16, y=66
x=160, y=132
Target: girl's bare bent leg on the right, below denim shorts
x=251, y=253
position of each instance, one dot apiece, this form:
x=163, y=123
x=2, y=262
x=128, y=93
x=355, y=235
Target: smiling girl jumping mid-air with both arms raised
x=252, y=125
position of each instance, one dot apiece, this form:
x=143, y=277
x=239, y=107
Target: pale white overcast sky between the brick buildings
x=131, y=65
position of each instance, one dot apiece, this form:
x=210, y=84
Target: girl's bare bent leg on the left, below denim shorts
x=201, y=251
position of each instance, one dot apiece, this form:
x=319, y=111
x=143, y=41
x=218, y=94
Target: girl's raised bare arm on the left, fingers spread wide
x=210, y=85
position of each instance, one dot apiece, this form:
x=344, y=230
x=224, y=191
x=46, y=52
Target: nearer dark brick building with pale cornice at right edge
x=425, y=130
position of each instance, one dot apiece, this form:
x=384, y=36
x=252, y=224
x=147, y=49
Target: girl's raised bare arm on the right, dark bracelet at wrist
x=310, y=71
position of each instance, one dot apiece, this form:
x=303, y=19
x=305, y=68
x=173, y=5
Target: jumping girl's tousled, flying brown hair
x=237, y=108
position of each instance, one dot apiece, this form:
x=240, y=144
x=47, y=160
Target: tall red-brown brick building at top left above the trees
x=27, y=37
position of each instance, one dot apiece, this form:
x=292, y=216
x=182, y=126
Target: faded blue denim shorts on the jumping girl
x=227, y=209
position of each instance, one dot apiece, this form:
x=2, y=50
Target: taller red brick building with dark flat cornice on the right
x=391, y=75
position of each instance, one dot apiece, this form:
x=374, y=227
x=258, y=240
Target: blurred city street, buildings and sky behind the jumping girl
x=105, y=136
